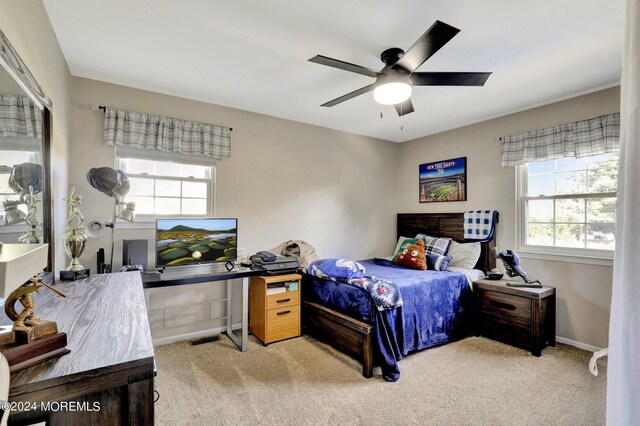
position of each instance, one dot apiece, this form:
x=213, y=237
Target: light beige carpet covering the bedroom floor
x=302, y=381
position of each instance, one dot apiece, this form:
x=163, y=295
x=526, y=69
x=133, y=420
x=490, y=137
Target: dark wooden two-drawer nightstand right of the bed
x=519, y=316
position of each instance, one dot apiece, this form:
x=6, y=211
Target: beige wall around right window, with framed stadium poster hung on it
x=583, y=290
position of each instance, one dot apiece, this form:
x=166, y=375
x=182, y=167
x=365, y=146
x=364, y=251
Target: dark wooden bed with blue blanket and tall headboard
x=437, y=305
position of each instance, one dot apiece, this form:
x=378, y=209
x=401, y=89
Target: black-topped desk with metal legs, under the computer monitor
x=239, y=273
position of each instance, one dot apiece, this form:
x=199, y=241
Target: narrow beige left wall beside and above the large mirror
x=27, y=26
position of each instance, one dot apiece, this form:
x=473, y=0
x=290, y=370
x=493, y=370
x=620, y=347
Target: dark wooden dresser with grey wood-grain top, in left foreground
x=107, y=378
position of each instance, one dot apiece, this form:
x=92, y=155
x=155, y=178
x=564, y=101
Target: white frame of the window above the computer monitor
x=148, y=220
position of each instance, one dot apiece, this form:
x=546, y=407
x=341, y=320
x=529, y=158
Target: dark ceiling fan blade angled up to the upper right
x=437, y=36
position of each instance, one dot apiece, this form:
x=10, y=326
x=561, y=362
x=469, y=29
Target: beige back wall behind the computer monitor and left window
x=284, y=180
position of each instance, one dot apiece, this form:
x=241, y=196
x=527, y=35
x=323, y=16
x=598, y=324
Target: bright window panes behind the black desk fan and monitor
x=162, y=188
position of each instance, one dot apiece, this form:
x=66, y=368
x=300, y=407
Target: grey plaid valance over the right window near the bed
x=584, y=138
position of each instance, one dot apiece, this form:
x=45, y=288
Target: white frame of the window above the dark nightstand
x=561, y=254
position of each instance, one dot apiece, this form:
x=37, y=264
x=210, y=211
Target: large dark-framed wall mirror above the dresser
x=25, y=187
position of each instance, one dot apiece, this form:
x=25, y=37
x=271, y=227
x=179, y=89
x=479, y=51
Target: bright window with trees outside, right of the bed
x=569, y=204
